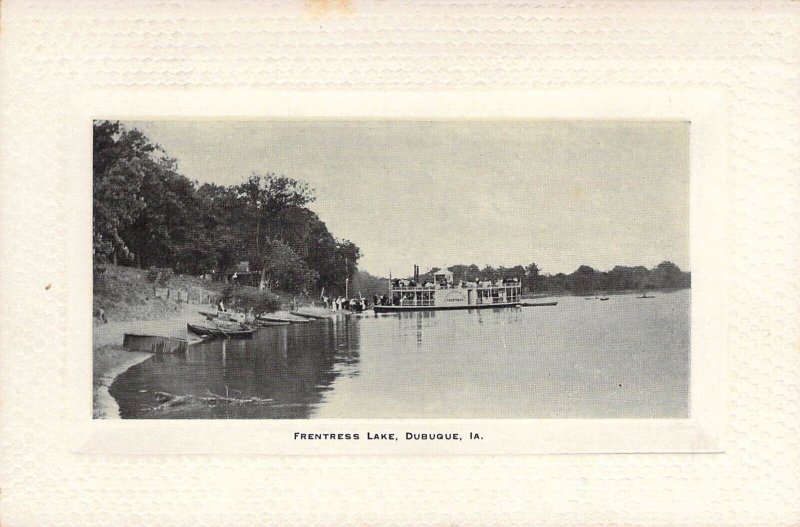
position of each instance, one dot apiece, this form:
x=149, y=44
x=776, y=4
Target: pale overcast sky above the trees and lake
x=439, y=193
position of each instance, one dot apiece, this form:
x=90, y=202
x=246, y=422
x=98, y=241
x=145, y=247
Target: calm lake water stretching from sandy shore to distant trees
x=622, y=358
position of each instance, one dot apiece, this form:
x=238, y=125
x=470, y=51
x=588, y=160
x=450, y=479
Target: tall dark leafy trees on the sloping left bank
x=149, y=215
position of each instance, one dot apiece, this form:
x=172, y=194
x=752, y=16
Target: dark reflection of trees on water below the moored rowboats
x=292, y=365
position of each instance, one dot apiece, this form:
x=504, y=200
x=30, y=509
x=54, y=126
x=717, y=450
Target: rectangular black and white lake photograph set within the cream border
x=379, y=268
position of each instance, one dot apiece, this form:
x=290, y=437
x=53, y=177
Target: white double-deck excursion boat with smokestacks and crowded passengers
x=443, y=293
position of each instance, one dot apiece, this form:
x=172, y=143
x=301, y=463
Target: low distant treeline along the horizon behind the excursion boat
x=585, y=279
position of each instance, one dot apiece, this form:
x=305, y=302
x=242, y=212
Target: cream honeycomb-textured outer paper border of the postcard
x=56, y=55
